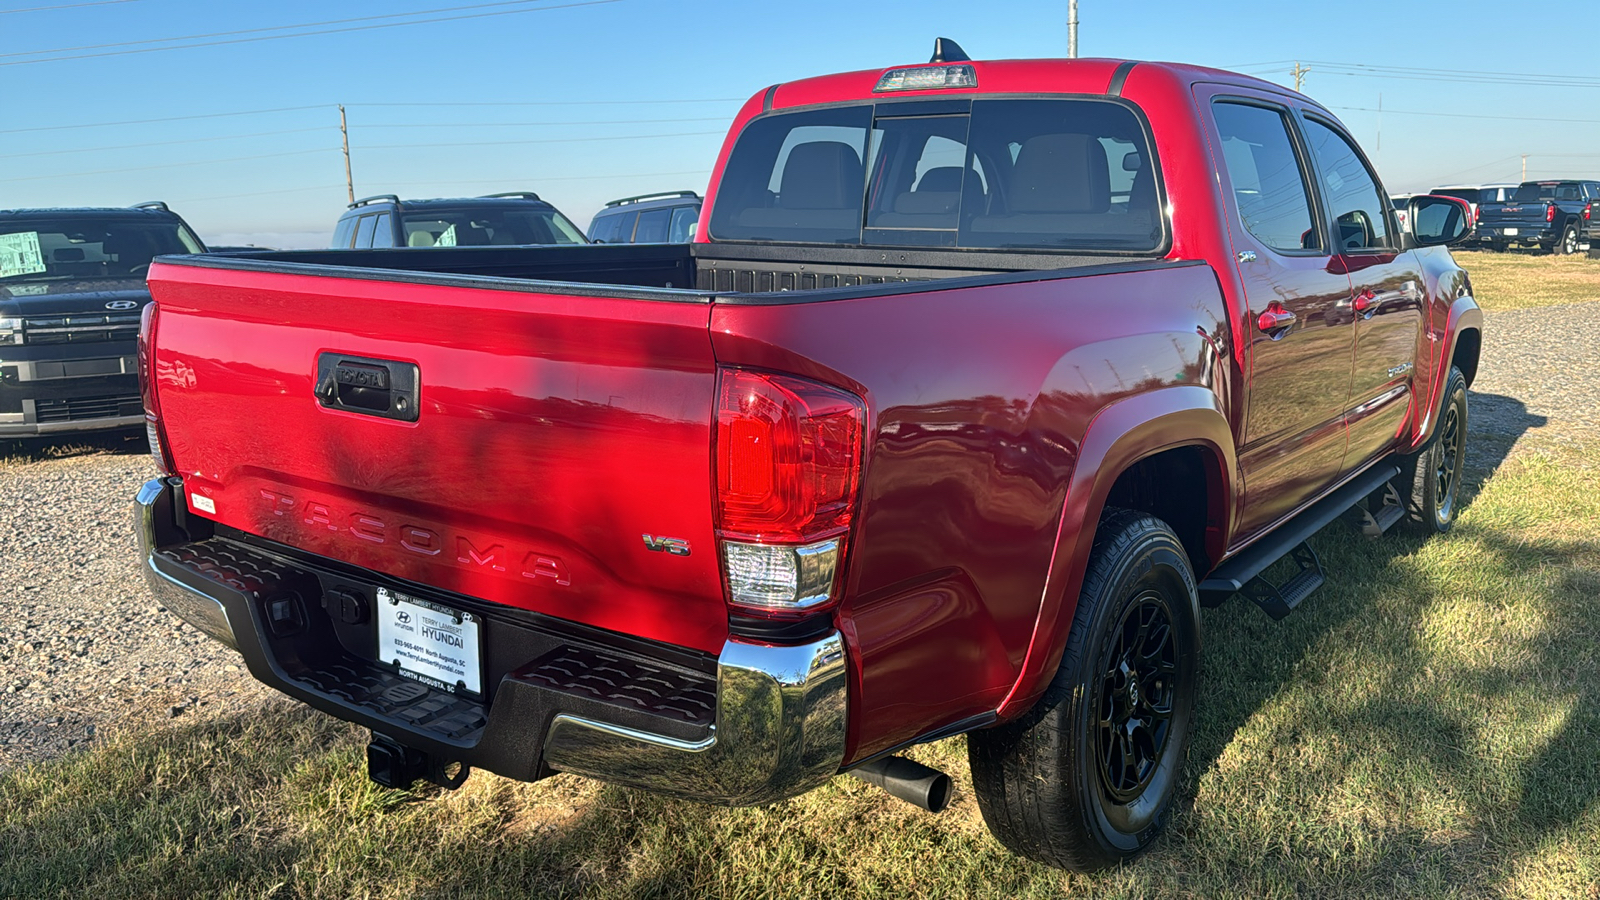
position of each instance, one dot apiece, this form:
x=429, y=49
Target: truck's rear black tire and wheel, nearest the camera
x=1086, y=779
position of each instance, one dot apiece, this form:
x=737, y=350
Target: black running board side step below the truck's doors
x=1242, y=569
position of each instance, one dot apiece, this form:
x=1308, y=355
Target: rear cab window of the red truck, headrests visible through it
x=986, y=174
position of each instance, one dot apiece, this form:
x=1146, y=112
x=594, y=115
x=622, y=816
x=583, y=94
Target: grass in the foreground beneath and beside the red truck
x=1426, y=726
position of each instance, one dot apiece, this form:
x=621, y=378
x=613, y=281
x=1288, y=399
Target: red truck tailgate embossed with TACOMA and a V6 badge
x=553, y=433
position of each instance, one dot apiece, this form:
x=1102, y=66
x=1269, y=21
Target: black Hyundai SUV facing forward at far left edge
x=71, y=295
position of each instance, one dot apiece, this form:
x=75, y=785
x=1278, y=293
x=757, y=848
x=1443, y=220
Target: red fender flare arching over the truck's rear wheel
x=1119, y=436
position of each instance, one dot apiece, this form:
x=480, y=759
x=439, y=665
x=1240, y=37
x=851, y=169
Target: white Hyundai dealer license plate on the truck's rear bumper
x=430, y=643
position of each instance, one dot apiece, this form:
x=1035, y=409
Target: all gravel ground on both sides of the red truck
x=82, y=648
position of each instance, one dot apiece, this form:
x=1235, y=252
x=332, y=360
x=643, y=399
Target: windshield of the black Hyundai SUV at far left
x=41, y=251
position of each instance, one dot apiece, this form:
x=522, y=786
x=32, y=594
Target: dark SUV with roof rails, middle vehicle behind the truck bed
x=500, y=220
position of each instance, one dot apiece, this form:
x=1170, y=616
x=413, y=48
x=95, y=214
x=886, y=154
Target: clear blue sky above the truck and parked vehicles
x=586, y=102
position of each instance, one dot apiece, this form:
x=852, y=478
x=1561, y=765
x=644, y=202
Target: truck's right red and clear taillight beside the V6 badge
x=788, y=480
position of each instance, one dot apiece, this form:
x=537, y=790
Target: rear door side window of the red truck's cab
x=1270, y=185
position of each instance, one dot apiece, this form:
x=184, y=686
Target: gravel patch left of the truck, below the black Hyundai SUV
x=82, y=646
